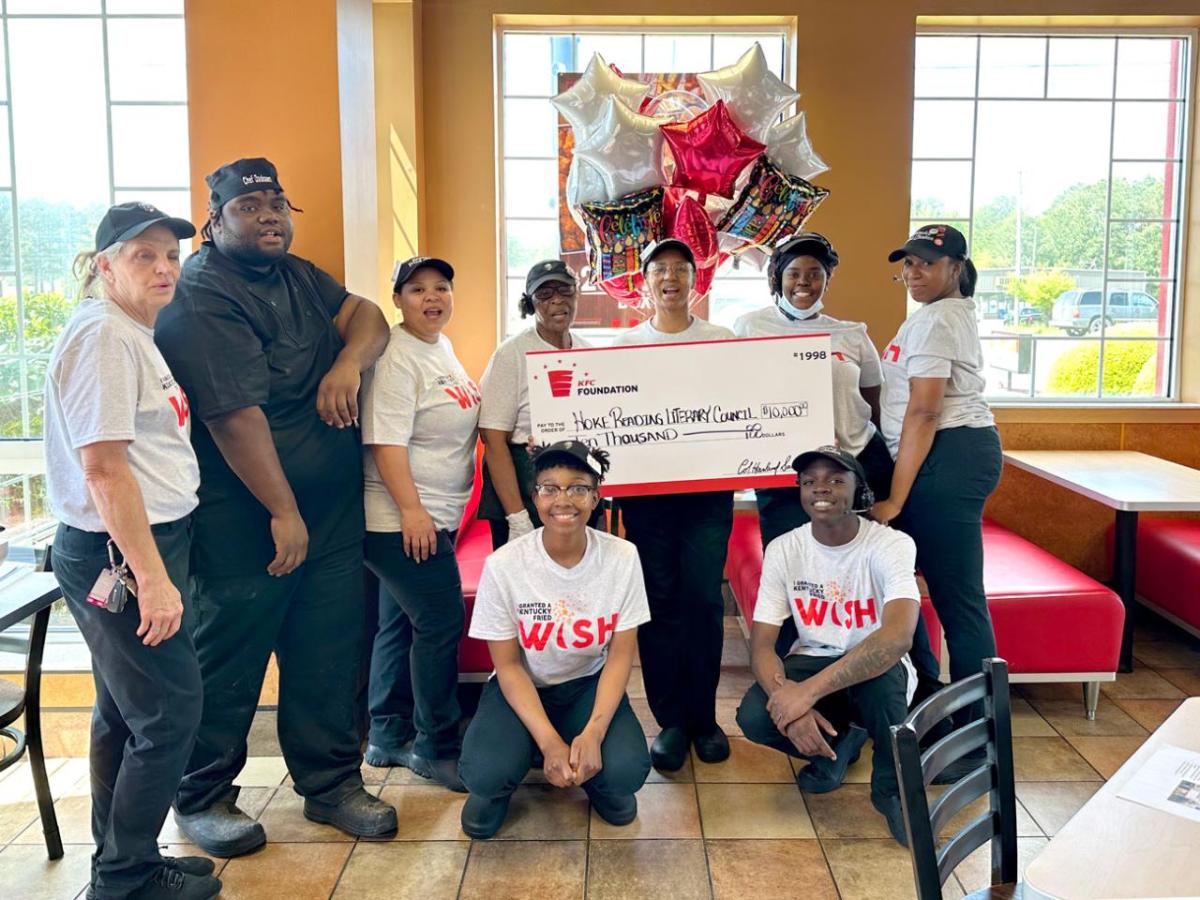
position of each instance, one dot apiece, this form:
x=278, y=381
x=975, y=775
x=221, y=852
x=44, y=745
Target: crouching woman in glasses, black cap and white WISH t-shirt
x=560, y=610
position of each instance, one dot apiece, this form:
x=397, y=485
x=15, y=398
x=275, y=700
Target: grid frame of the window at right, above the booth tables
x=1190, y=147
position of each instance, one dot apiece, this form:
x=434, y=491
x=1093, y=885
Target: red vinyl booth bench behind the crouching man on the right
x=1048, y=617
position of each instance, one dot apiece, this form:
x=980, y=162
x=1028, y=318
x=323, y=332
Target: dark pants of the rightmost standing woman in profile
x=944, y=515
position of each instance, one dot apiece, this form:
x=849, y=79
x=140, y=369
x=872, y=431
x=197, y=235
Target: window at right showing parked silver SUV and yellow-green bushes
x=1061, y=158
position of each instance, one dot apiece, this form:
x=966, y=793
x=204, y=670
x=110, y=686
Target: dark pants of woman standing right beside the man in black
x=415, y=663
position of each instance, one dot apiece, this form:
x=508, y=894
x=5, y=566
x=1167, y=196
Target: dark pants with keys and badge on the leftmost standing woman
x=148, y=707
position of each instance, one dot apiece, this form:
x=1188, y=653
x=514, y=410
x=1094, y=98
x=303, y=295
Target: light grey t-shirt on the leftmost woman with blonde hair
x=107, y=381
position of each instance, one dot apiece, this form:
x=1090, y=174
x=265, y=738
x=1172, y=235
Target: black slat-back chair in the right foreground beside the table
x=993, y=778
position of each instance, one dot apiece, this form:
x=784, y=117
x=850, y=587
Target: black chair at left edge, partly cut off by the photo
x=14, y=703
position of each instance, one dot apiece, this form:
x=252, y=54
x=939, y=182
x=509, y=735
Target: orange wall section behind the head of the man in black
x=262, y=81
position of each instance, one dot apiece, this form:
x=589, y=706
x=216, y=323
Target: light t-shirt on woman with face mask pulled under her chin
x=856, y=365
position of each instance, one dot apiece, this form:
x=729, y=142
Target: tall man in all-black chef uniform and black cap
x=269, y=350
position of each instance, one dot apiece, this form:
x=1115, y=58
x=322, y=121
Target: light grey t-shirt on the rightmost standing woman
x=941, y=340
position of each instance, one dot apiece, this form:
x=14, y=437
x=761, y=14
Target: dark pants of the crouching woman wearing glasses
x=499, y=749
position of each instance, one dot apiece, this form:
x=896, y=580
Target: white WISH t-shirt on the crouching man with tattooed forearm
x=837, y=595
